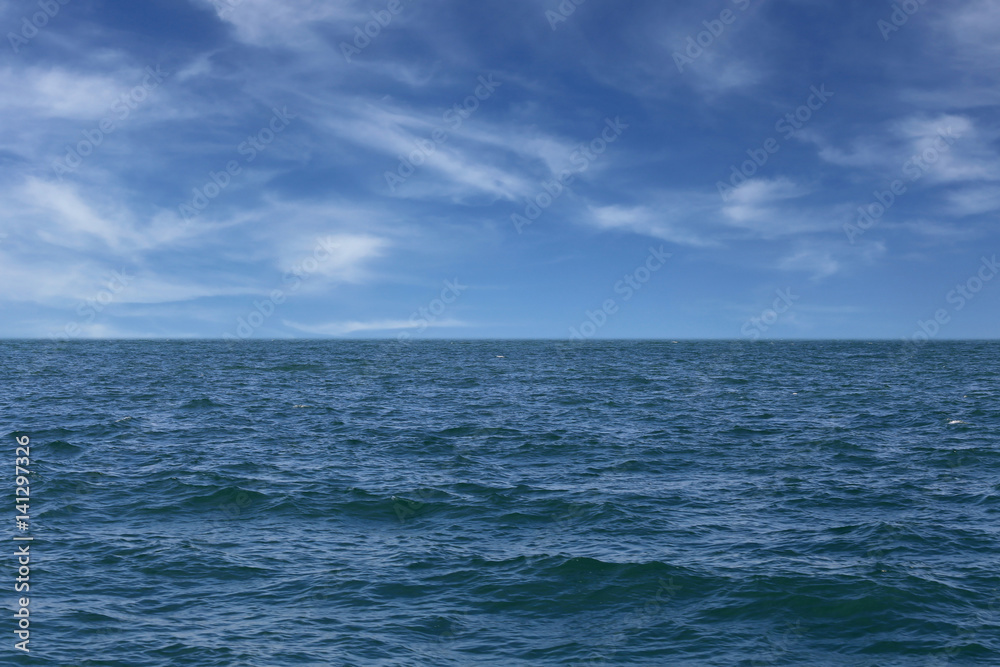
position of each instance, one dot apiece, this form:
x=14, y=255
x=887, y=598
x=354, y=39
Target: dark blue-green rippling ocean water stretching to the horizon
x=507, y=503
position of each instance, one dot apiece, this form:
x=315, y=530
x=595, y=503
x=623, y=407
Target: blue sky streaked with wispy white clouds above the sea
x=514, y=168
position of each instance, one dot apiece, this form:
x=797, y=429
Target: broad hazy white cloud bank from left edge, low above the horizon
x=61, y=242
